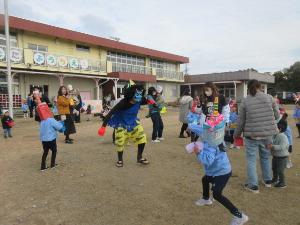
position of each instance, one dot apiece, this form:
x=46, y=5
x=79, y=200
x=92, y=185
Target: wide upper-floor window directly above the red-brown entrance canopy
x=125, y=58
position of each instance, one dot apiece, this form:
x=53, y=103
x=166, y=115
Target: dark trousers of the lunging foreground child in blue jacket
x=218, y=184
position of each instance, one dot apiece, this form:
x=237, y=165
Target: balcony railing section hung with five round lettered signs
x=67, y=62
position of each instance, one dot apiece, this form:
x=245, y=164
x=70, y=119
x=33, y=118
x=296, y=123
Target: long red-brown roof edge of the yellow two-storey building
x=28, y=25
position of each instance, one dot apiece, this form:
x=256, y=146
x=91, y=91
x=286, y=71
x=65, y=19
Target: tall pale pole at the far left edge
x=9, y=78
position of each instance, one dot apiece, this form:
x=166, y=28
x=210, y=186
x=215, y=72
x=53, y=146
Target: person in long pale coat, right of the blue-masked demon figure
x=186, y=103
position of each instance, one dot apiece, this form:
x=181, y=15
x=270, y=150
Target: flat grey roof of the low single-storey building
x=241, y=75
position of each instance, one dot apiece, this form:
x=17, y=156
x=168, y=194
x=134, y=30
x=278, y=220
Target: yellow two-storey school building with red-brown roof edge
x=46, y=57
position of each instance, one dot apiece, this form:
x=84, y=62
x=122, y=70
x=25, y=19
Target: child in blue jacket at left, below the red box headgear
x=48, y=135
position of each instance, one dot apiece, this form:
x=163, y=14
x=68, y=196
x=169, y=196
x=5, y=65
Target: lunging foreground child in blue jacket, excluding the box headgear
x=217, y=172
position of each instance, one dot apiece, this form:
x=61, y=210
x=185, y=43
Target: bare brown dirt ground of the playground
x=87, y=188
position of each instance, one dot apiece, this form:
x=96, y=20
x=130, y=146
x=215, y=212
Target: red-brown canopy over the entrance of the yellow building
x=133, y=76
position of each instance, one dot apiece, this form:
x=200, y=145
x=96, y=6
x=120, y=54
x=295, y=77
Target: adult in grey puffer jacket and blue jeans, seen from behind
x=257, y=117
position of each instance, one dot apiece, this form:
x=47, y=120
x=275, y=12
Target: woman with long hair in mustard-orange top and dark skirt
x=63, y=107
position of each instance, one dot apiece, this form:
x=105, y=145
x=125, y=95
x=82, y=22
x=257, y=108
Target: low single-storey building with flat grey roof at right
x=233, y=85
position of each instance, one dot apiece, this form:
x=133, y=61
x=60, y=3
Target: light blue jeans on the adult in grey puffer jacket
x=252, y=147
